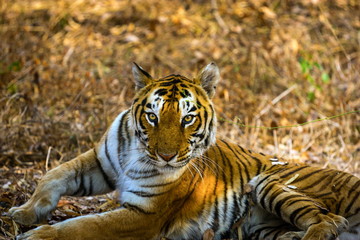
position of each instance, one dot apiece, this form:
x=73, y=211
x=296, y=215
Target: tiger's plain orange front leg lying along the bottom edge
x=118, y=224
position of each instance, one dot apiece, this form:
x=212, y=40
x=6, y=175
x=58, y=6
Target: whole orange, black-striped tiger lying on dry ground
x=177, y=180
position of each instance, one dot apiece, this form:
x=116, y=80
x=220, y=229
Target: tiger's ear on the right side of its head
x=208, y=78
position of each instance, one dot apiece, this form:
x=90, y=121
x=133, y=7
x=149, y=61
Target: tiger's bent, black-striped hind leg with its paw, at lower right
x=298, y=209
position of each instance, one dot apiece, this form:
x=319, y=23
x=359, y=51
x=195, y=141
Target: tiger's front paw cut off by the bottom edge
x=43, y=232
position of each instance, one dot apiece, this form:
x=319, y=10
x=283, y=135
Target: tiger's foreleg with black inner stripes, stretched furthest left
x=76, y=177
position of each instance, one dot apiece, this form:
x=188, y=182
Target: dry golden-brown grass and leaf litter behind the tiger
x=65, y=74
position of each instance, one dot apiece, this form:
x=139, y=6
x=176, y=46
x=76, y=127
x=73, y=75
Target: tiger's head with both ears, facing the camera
x=173, y=117
